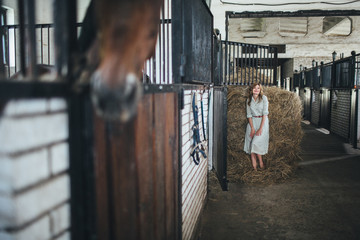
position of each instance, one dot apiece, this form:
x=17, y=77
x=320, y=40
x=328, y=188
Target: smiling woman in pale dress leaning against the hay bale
x=257, y=130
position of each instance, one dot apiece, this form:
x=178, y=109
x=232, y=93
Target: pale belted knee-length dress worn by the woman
x=258, y=144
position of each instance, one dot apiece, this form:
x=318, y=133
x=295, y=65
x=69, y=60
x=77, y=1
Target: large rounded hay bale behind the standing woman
x=284, y=142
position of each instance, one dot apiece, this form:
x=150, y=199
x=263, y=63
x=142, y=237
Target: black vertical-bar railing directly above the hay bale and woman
x=245, y=64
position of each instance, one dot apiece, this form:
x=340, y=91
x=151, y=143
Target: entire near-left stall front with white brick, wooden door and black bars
x=84, y=177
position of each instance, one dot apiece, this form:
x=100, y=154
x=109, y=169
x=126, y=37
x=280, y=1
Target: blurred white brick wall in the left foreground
x=34, y=183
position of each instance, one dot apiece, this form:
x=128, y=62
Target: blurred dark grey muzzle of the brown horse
x=119, y=102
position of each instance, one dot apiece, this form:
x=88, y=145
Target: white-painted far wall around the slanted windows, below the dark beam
x=313, y=45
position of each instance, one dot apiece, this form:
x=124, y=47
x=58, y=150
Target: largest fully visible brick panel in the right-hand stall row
x=340, y=112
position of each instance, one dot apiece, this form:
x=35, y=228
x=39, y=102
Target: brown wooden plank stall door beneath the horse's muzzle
x=136, y=167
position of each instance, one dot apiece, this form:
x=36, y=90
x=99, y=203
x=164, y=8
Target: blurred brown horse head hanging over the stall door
x=126, y=36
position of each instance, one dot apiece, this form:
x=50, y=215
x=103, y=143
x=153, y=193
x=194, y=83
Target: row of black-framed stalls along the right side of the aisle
x=331, y=92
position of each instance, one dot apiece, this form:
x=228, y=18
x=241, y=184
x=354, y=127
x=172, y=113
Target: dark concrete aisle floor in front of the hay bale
x=321, y=202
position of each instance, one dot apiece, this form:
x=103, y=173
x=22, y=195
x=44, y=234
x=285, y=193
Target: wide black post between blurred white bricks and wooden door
x=81, y=168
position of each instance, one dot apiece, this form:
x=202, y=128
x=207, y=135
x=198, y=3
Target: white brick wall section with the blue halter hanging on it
x=194, y=177
